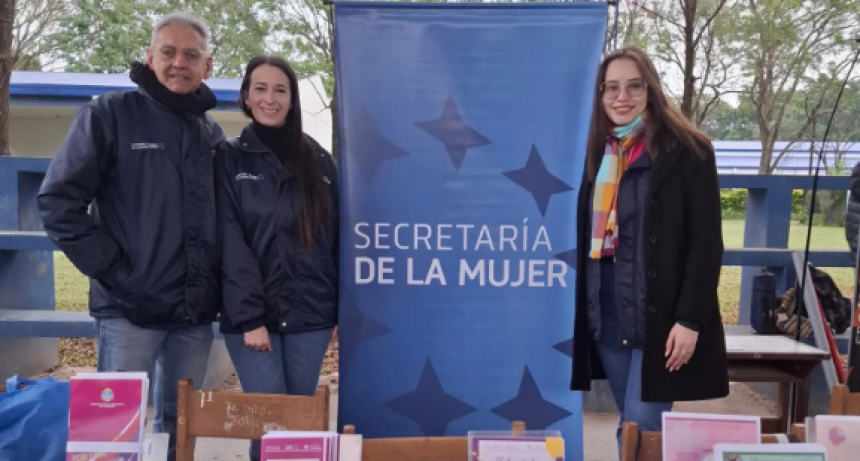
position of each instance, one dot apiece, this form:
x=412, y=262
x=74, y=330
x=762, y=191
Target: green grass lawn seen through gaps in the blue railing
x=72, y=286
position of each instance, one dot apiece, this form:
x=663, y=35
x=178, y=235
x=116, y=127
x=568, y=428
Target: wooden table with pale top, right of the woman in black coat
x=774, y=359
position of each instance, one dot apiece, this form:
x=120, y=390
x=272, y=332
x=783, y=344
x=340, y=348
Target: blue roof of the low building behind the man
x=86, y=85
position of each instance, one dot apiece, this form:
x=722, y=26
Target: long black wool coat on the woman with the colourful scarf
x=683, y=257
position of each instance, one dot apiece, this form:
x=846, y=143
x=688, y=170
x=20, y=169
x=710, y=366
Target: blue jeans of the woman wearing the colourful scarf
x=623, y=366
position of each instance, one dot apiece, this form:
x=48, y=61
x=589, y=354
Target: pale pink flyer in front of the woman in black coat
x=691, y=437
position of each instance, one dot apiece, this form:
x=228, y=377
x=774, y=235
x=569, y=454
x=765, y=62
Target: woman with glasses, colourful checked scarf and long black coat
x=649, y=250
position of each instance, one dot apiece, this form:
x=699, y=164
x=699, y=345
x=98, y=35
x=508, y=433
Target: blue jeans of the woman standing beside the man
x=292, y=367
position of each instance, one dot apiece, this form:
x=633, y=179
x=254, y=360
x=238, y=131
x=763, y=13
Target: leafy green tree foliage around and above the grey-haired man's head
x=106, y=37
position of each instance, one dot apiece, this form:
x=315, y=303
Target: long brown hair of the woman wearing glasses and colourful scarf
x=665, y=124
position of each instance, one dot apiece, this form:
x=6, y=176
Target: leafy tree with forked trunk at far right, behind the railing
x=779, y=43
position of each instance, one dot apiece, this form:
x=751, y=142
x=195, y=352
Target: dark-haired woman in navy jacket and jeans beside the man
x=277, y=207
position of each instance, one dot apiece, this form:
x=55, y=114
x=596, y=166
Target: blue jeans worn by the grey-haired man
x=166, y=355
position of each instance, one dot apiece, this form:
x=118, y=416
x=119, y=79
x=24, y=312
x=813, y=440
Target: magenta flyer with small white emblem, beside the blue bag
x=106, y=410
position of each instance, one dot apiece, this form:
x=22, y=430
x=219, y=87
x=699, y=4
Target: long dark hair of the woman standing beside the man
x=315, y=201
